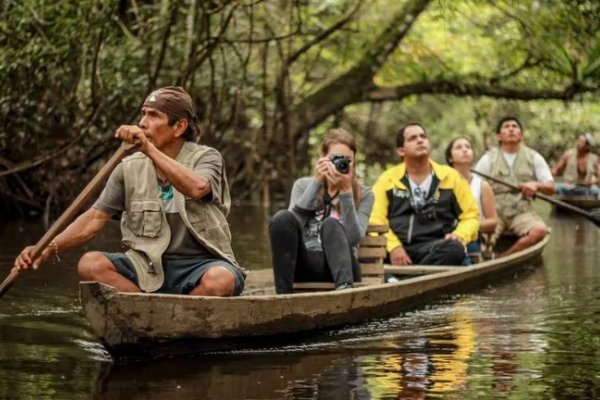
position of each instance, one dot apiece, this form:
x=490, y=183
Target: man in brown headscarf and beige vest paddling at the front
x=173, y=198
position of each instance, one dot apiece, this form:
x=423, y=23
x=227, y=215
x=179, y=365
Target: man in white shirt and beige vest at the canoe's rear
x=519, y=165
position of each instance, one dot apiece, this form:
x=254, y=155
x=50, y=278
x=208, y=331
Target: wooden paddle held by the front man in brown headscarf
x=70, y=213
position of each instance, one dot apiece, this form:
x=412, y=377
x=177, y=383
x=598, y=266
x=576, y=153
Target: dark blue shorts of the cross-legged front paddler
x=181, y=275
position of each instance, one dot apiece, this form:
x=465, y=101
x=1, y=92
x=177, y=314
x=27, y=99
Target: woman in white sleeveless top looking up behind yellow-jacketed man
x=459, y=155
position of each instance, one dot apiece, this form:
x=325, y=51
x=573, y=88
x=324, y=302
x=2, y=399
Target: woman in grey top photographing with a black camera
x=316, y=238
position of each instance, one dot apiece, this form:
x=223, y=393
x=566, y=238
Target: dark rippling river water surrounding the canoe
x=533, y=336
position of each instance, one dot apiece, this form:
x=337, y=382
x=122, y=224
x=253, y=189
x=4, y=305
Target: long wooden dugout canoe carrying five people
x=158, y=325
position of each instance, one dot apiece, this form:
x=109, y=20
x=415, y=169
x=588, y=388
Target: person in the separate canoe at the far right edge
x=579, y=168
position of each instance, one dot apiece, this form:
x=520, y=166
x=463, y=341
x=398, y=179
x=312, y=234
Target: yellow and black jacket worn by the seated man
x=452, y=207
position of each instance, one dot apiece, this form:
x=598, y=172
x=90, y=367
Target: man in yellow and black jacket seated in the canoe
x=428, y=206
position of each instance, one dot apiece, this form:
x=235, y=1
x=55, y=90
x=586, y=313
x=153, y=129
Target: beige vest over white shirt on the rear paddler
x=509, y=202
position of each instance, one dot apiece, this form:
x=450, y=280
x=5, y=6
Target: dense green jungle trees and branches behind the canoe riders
x=270, y=77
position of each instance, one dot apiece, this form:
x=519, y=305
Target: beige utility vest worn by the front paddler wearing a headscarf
x=144, y=225
